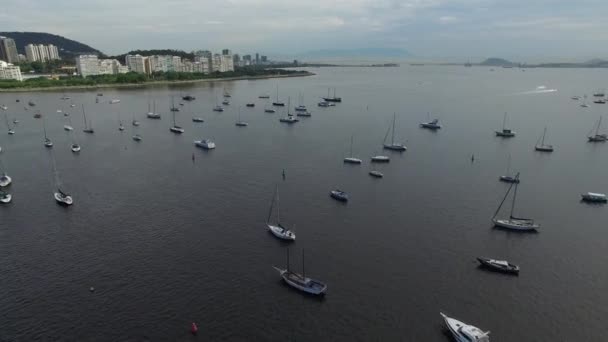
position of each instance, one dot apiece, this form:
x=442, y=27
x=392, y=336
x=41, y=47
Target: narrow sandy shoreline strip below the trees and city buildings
x=152, y=83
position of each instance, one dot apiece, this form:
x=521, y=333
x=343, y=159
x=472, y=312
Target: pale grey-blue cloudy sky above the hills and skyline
x=523, y=30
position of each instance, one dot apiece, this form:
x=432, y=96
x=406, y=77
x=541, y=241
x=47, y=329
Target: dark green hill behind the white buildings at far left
x=67, y=47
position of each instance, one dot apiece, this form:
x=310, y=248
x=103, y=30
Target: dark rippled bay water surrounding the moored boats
x=167, y=241
